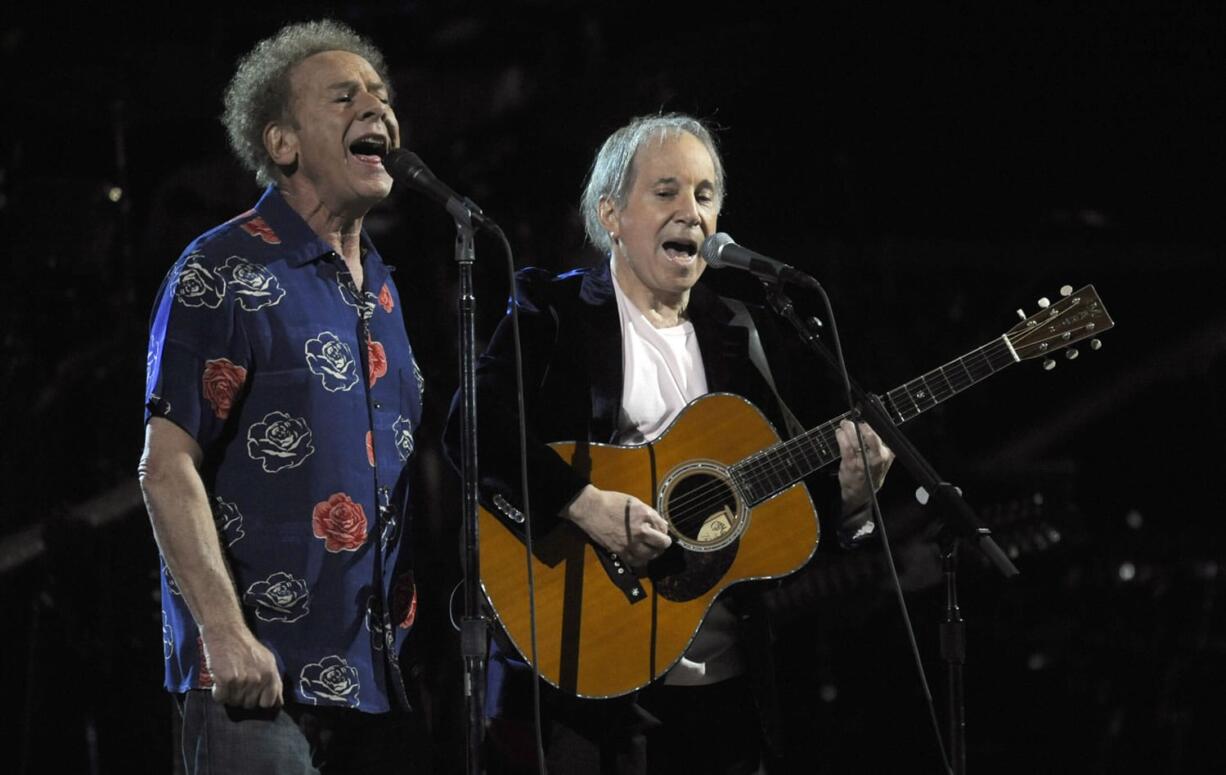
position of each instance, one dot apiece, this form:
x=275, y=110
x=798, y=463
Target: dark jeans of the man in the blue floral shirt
x=219, y=740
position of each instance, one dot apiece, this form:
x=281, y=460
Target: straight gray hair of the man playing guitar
x=612, y=175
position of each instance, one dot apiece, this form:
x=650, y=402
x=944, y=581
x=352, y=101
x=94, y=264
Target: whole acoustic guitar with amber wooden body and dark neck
x=737, y=510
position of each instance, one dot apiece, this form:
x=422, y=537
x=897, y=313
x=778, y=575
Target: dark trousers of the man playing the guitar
x=665, y=730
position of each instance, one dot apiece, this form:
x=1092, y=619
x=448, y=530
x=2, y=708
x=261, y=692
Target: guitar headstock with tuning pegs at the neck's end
x=1078, y=316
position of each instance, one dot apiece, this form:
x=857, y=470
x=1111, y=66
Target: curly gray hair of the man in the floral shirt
x=261, y=90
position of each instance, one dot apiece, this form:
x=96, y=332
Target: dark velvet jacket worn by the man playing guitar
x=573, y=377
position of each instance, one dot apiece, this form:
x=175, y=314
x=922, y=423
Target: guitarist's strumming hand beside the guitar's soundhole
x=620, y=523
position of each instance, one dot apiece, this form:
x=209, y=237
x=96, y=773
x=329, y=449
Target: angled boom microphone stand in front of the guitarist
x=959, y=523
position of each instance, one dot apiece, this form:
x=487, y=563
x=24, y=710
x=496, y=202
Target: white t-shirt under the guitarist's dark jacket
x=663, y=373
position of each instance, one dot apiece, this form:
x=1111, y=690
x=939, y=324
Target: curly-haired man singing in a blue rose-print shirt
x=281, y=403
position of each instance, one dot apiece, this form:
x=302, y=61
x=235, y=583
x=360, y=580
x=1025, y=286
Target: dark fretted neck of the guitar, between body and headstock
x=773, y=470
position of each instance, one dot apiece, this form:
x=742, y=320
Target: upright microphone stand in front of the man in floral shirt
x=474, y=627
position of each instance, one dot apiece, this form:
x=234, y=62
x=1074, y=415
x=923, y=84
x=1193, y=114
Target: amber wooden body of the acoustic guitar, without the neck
x=603, y=631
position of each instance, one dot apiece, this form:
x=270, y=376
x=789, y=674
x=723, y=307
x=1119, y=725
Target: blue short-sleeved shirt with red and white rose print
x=303, y=393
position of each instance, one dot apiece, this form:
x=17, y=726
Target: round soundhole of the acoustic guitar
x=703, y=508
